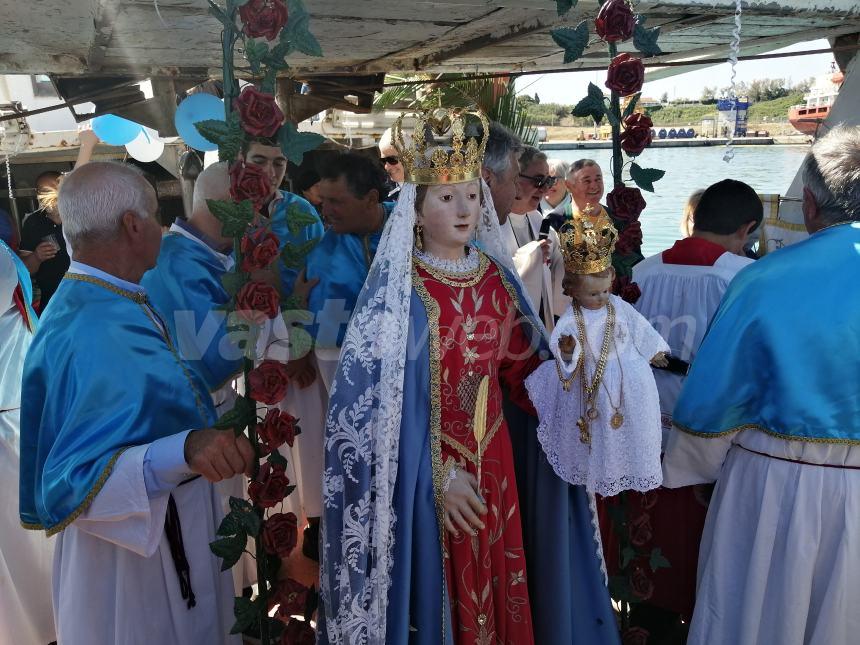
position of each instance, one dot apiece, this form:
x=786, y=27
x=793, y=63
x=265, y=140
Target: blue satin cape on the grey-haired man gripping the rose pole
x=99, y=378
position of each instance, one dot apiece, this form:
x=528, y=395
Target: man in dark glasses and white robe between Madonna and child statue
x=536, y=253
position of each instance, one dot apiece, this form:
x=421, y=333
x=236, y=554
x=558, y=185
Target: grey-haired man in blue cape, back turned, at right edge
x=771, y=411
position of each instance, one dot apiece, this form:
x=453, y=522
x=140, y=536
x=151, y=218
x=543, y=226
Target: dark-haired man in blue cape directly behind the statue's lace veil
x=351, y=188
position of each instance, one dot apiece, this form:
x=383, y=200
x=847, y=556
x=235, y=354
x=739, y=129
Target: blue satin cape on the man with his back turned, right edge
x=781, y=353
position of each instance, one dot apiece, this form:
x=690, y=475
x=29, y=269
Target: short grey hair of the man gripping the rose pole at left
x=94, y=198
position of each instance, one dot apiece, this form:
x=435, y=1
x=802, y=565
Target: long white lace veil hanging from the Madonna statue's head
x=363, y=430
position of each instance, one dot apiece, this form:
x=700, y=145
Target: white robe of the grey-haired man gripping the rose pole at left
x=114, y=578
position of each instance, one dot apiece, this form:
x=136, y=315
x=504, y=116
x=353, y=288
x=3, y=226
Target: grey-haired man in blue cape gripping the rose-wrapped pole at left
x=118, y=454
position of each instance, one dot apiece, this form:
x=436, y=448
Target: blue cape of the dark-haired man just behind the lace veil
x=340, y=264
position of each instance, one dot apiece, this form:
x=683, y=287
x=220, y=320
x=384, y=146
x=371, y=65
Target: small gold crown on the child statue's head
x=587, y=244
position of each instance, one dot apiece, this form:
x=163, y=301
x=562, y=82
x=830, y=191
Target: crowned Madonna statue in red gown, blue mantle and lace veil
x=422, y=530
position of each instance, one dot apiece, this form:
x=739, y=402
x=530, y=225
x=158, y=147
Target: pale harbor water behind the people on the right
x=768, y=169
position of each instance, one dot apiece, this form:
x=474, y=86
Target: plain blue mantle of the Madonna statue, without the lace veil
x=570, y=603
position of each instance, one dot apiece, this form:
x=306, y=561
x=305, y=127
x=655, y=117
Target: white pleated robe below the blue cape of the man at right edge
x=779, y=560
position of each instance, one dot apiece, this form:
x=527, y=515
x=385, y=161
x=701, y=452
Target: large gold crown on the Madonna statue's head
x=442, y=150
